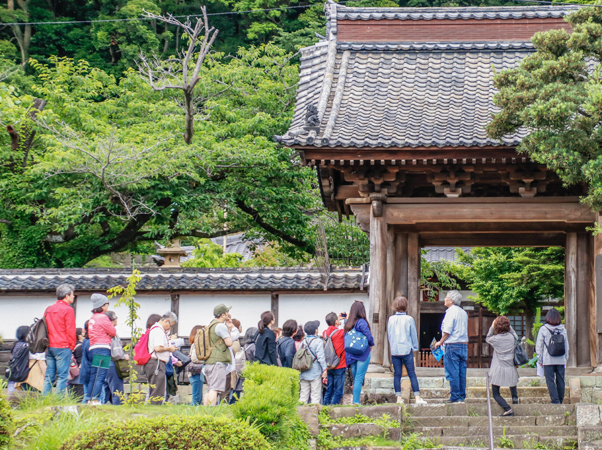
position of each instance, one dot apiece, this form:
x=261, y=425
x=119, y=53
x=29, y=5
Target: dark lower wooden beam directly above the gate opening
x=492, y=240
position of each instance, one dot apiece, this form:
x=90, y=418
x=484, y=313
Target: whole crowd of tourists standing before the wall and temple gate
x=91, y=363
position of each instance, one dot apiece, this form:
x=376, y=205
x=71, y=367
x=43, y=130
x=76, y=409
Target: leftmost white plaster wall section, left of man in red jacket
x=21, y=310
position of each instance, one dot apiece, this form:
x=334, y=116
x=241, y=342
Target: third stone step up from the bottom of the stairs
x=482, y=421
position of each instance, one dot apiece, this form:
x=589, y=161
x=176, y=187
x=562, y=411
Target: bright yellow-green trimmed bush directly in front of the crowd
x=270, y=399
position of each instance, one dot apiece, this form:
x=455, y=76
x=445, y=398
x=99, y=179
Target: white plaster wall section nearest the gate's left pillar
x=306, y=307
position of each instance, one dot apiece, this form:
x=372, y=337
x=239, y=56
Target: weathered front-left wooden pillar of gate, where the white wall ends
x=378, y=278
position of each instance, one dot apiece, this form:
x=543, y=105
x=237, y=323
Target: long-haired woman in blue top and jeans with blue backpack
x=358, y=363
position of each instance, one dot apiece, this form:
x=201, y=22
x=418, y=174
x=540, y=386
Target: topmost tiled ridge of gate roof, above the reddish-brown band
x=490, y=13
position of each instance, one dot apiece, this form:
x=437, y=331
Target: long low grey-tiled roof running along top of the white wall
x=182, y=279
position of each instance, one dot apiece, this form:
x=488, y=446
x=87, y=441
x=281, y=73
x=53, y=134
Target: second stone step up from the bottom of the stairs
x=562, y=430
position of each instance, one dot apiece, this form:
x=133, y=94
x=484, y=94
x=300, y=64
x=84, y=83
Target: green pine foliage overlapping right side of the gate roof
x=556, y=95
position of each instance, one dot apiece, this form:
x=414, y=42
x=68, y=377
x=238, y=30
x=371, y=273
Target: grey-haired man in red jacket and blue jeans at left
x=60, y=320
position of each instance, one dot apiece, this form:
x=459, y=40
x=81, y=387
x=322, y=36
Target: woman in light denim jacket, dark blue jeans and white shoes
x=403, y=342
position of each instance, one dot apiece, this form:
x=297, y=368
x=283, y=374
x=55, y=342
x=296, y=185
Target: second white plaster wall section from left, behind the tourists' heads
x=149, y=304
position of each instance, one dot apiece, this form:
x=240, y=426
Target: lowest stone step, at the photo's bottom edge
x=518, y=441
